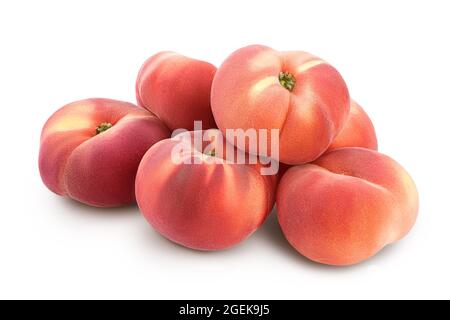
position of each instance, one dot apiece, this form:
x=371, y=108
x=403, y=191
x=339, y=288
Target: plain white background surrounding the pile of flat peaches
x=394, y=56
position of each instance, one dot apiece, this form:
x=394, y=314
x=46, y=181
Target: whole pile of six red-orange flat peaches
x=339, y=201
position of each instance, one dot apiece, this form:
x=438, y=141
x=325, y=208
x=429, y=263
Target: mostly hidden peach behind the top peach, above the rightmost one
x=358, y=131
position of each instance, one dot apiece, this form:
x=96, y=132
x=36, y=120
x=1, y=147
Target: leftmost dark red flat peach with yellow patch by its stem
x=81, y=158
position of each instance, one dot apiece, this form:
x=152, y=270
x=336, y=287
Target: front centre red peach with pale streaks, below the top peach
x=209, y=205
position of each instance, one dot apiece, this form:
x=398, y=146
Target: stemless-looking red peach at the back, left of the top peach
x=177, y=89
